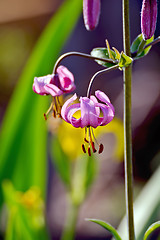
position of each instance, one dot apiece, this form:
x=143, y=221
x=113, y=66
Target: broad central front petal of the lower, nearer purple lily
x=88, y=113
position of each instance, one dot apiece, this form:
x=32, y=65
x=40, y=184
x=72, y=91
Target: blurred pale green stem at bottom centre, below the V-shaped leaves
x=70, y=222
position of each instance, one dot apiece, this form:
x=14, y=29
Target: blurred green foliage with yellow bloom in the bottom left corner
x=22, y=209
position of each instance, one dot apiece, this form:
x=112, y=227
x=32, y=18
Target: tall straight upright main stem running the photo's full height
x=127, y=77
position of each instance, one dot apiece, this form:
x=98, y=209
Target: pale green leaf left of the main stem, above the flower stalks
x=103, y=53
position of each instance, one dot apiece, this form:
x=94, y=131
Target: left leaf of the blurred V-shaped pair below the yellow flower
x=61, y=162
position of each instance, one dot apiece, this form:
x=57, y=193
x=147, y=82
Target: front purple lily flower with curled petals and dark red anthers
x=90, y=118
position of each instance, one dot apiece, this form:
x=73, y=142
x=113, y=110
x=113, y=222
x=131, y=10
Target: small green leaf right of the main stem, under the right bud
x=137, y=42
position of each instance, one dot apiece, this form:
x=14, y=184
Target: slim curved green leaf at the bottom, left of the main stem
x=107, y=226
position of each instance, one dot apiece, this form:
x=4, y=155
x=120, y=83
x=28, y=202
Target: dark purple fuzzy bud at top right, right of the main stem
x=148, y=18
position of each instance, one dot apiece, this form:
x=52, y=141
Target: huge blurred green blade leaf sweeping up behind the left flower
x=23, y=132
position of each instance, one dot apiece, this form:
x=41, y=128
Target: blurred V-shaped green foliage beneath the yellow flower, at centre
x=76, y=174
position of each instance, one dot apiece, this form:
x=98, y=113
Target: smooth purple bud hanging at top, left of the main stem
x=91, y=13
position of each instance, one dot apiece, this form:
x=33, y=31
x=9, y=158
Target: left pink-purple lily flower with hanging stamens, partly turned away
x=55, y=85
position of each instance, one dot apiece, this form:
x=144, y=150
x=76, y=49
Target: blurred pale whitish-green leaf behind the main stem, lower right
x=145, y=207
